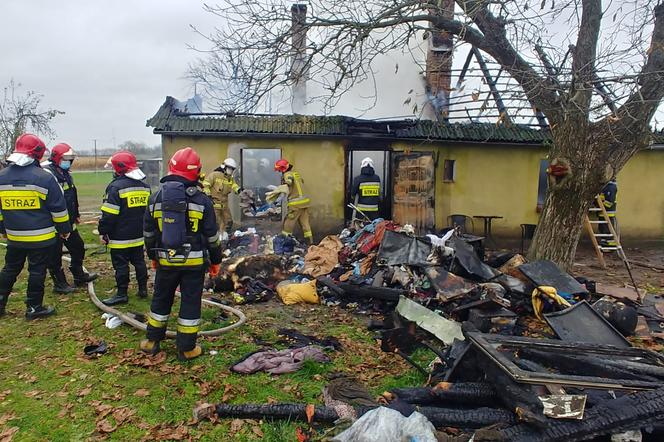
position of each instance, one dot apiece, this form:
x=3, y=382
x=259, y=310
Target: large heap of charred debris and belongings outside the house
x=523, y=348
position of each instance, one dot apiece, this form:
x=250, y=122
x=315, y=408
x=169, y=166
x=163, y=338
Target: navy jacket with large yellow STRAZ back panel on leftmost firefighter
x=33, y=207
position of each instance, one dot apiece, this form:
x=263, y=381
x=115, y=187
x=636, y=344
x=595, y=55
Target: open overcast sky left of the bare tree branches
x=109, y=65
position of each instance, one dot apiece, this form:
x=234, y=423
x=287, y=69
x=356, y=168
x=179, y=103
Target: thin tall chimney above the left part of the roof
x=299, y=71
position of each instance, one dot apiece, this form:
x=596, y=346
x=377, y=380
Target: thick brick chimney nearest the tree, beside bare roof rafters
x=439, y=62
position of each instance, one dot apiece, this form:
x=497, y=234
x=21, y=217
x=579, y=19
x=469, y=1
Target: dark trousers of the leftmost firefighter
x=14, y=261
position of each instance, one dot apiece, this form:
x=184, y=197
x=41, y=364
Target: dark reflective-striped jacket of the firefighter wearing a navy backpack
x=202, y=230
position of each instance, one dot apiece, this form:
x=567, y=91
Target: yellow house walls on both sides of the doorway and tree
x=490, y=180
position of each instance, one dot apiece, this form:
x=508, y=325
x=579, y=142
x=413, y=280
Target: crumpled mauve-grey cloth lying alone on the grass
x=279, y=362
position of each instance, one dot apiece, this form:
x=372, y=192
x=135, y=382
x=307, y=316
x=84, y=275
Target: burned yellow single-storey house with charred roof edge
x=430, y=169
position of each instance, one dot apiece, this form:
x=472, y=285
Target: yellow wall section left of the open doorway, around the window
x=319, y=162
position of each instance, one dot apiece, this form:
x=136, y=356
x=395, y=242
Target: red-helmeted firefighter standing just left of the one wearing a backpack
x=121, y=225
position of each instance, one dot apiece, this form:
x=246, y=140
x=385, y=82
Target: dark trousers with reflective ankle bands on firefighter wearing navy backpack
x=191, y=290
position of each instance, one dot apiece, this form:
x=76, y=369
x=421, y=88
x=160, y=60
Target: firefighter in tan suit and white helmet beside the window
x=218, y=185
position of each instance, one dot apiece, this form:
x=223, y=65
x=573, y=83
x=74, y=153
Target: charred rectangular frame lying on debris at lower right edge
x=504, y=350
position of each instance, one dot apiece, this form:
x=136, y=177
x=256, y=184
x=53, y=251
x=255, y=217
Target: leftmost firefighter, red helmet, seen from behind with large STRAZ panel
x=33, y=212
